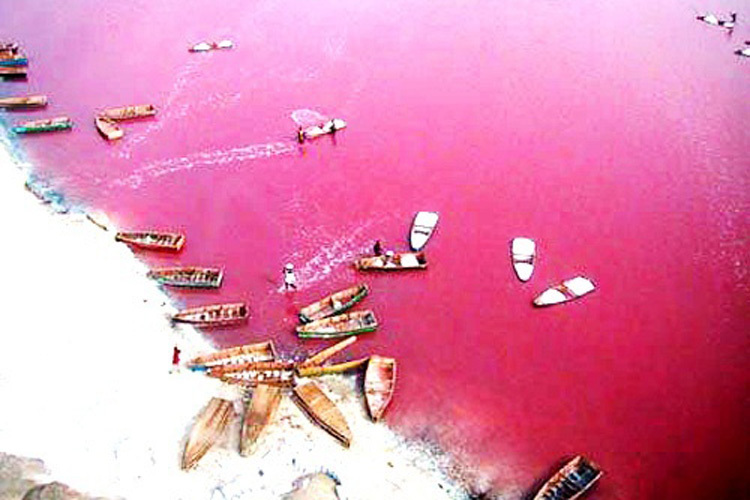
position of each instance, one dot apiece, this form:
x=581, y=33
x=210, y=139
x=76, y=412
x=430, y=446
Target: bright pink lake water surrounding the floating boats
x=615, y=135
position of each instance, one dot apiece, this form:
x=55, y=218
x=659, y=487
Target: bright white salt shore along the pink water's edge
x=85, y=384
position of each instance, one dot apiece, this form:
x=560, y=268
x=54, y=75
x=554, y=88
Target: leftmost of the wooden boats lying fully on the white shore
x=211, y=424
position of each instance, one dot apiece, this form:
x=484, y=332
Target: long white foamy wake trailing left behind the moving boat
x=219, y=157
